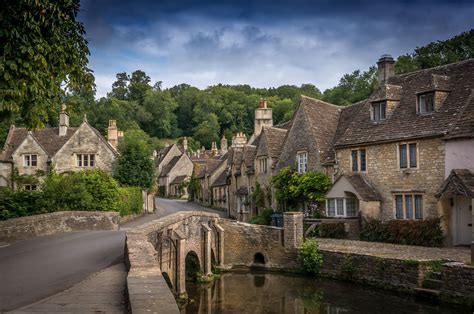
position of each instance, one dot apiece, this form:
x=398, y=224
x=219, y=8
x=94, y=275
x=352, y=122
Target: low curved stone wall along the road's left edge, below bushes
x=59, y=222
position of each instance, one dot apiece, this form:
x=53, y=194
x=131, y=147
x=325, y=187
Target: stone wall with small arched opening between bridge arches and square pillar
x=243, y=241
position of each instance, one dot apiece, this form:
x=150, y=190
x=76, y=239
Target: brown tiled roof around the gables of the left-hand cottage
x=48, y=138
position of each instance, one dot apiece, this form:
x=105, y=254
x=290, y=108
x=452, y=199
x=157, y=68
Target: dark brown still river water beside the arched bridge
x=281, y=293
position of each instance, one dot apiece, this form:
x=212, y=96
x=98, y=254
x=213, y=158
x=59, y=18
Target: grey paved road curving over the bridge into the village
x=34, y=269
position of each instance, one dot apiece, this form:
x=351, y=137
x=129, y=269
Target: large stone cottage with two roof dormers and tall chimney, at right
x=394, y=150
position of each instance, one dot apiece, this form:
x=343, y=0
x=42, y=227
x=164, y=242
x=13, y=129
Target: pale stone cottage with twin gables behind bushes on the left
x=65, y=148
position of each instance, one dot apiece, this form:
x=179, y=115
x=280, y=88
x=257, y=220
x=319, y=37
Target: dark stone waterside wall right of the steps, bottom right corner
x=458, y=283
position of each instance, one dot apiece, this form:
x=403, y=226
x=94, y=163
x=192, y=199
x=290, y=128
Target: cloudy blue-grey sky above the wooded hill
x=260, y=43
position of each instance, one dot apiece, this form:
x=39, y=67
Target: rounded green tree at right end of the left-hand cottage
x=134, y=166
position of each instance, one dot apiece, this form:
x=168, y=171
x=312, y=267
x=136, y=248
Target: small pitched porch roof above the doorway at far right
x=459, y=182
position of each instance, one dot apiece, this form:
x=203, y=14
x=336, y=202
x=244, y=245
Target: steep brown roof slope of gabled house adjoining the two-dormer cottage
x=323, y=119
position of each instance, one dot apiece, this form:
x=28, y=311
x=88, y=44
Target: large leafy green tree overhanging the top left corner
x=43, y=53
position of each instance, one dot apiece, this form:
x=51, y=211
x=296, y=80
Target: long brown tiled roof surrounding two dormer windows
x=404, y=122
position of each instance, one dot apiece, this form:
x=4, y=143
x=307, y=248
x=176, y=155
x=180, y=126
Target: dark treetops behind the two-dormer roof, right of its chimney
x=441, y=52
